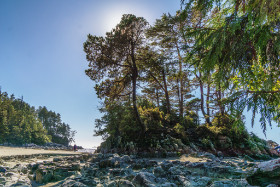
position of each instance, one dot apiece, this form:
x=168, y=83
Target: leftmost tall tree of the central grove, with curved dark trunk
x=113, y=60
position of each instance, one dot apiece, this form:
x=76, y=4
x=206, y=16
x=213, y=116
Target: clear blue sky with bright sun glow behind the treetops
x=42, y=58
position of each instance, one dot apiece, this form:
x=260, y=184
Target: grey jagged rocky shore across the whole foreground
x=114, y=170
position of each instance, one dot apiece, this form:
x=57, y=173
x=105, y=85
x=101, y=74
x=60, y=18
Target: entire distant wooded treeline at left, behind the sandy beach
x=21, y=123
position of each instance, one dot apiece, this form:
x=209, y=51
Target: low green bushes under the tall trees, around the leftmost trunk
x=119, y=121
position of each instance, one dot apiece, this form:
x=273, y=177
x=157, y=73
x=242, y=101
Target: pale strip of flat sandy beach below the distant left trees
x=12, y=151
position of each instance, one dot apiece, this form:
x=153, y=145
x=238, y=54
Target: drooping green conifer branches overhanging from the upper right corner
x=239, y=43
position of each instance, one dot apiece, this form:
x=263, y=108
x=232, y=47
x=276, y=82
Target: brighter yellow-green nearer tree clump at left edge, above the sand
x=19, y=123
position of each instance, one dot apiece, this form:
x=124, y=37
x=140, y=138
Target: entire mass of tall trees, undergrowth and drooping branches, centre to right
x=192, y=75
